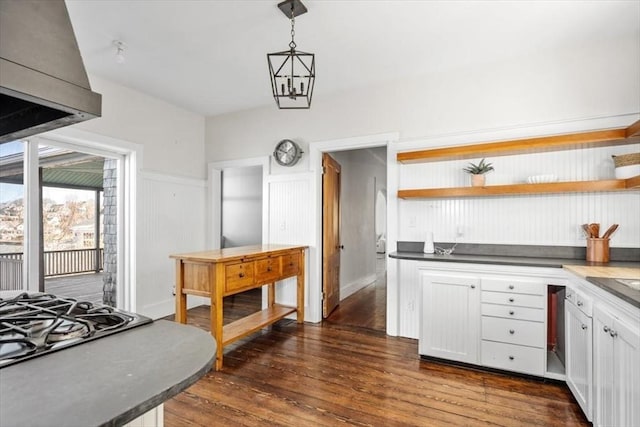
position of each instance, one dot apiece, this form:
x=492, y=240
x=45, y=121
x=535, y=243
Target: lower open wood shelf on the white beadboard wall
x=516, y=189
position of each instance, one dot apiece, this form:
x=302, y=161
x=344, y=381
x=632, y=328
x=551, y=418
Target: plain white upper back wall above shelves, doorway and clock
x=587, y=81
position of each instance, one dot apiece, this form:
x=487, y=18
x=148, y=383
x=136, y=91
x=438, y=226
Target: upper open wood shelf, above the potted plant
x=601, y=138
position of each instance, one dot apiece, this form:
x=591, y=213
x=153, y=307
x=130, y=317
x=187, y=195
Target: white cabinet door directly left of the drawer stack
x=449, y=327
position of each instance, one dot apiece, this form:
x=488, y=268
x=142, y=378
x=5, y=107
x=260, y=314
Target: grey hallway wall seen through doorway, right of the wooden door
x=361, y=170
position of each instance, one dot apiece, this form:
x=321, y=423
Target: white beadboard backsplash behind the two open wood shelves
x=528, y=219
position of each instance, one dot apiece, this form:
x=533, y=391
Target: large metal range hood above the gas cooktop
x=43, y=82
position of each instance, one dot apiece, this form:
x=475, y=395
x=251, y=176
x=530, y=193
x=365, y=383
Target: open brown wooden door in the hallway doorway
x=330, y=234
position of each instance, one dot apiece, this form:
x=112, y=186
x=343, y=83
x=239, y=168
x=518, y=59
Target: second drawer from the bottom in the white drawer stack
x=520, y=332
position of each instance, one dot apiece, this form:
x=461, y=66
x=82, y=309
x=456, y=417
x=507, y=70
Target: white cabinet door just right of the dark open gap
x=578, y=348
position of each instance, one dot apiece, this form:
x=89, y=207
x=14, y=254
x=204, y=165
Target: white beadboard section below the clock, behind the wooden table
x=290, y=223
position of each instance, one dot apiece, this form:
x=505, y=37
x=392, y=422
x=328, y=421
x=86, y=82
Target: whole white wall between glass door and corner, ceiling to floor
x=170, y=177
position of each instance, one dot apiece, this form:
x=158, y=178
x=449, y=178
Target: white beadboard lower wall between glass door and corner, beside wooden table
x=172, y=212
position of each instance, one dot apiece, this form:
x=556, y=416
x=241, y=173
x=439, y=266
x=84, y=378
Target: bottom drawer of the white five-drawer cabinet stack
x=513, y=357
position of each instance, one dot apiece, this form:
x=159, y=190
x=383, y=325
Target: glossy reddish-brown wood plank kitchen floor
x=334, y=374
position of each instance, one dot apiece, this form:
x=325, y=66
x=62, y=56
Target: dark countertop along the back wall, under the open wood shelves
x=506, y=260
